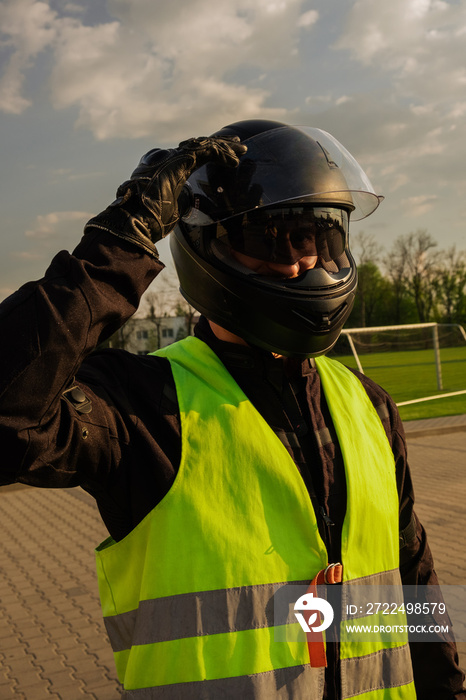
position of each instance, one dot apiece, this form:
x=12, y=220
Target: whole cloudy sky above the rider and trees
x=86, y=87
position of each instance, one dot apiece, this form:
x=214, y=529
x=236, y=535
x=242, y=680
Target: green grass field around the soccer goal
x=412, y=375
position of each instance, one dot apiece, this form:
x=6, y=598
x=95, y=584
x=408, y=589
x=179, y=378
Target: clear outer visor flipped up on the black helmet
x=290, y=164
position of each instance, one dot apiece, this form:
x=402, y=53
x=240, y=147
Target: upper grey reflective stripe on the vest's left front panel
x=206, y=613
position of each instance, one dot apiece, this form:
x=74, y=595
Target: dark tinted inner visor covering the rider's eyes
x=287, y=234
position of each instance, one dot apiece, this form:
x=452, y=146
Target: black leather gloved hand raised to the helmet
x=146, y=207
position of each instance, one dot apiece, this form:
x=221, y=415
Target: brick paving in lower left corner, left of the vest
x=53, y=642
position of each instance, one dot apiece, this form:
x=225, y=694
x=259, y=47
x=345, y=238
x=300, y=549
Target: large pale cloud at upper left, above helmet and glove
x=153, y=68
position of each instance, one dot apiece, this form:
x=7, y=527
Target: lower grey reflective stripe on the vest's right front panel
x=387, y=668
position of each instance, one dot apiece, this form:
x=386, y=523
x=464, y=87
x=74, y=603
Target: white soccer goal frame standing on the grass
x=378, y=331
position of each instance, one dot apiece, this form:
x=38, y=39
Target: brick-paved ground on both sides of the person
x=53, y=642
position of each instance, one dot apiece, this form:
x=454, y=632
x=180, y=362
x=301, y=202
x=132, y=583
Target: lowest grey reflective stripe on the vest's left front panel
x=295, y=683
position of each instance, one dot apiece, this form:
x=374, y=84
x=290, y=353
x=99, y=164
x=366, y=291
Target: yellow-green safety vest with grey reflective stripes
x=187, y=596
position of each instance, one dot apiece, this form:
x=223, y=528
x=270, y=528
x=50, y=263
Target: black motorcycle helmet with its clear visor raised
x=291, y=195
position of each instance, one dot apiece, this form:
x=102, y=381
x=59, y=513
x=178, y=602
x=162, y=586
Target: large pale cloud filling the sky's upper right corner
x=410, y=134
